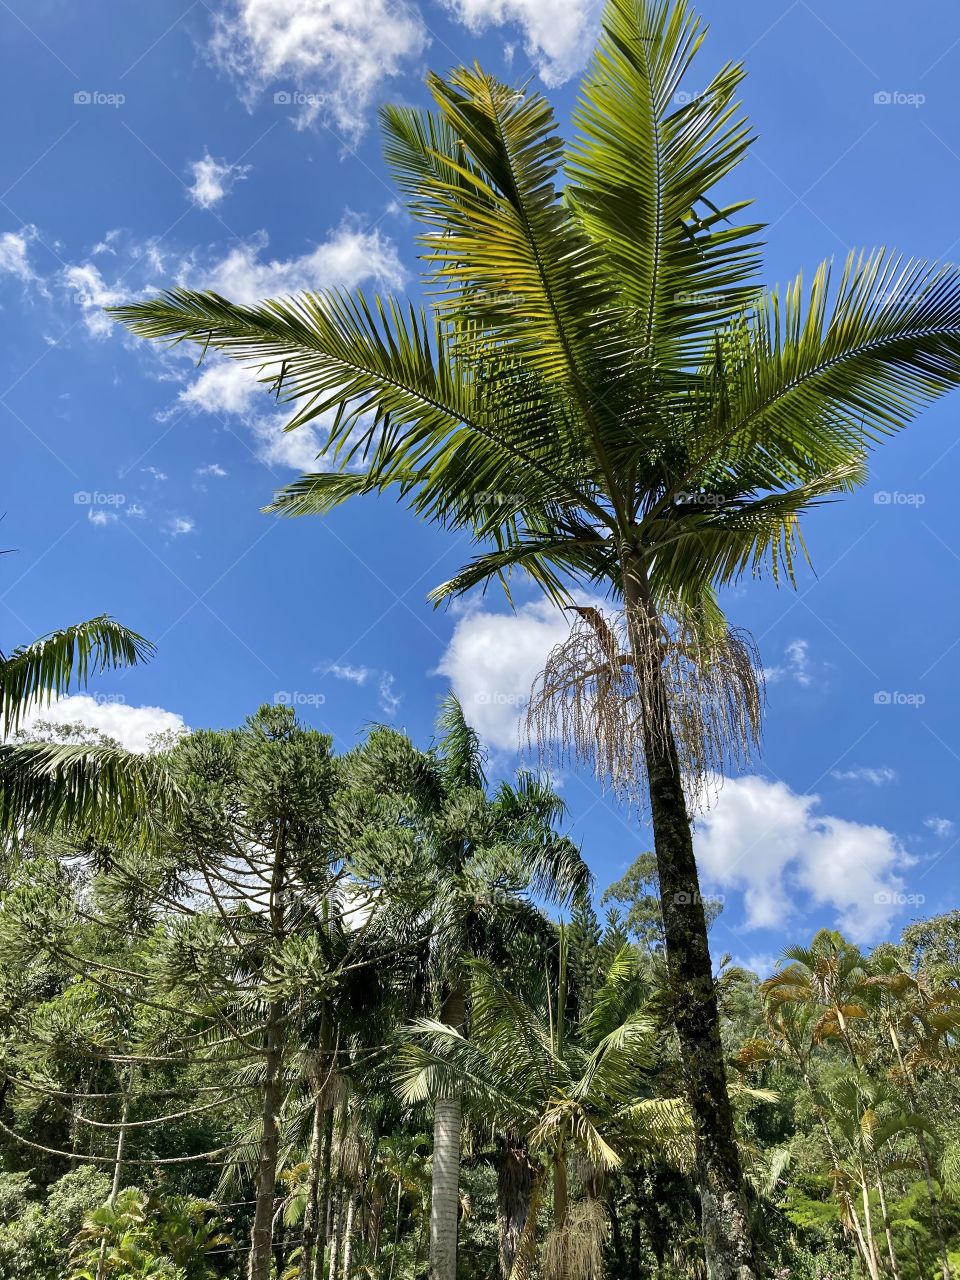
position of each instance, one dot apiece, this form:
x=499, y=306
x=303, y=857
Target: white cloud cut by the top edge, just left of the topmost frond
x=557, y=38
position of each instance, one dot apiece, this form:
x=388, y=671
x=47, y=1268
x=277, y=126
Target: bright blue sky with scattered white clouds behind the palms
x=234, y=145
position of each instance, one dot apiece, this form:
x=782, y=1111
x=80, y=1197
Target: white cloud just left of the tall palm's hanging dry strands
x=492, y=662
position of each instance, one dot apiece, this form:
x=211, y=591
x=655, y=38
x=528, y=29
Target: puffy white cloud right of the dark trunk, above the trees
x=787, y=857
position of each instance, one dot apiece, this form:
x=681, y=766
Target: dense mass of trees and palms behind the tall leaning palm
x=225, y=1049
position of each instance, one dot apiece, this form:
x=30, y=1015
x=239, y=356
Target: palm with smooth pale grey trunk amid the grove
x=468, y=874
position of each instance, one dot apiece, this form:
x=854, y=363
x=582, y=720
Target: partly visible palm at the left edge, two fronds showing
x=48, y=784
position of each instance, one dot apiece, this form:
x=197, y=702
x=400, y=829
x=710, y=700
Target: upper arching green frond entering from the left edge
x=49, y=668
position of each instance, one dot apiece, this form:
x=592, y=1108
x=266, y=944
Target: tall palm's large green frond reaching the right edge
x=844, y=365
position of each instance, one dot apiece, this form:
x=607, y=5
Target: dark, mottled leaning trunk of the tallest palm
x=729, y=1244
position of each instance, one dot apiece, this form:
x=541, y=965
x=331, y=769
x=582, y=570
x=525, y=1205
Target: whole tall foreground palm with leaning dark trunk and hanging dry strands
x=604, y=394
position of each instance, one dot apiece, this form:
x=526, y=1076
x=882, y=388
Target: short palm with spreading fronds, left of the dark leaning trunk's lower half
x=554, y=1085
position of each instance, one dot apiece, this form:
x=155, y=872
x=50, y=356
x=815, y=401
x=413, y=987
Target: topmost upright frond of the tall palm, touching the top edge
x=641, y=173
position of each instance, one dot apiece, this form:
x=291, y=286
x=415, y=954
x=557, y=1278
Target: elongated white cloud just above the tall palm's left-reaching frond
x=348, y=258
